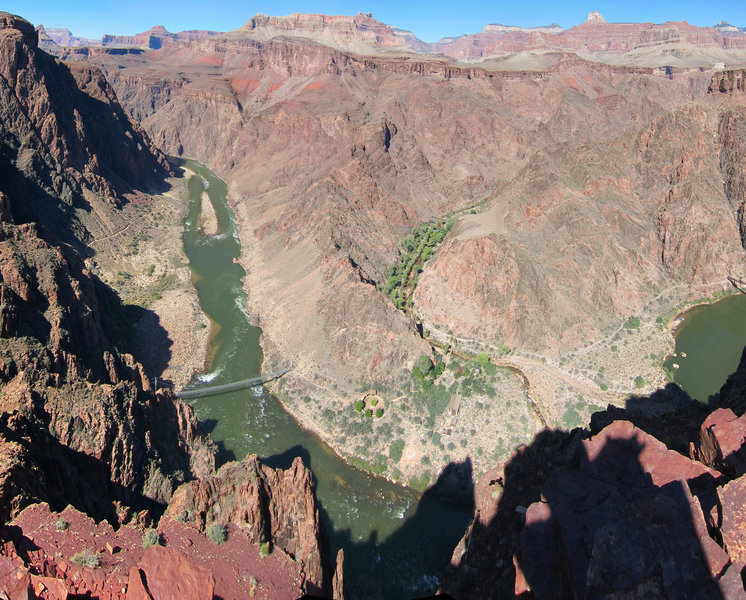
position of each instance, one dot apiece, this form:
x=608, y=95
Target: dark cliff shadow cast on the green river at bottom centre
x=393, y=567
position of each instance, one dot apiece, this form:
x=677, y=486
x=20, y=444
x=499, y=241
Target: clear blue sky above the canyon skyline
x=428, y=20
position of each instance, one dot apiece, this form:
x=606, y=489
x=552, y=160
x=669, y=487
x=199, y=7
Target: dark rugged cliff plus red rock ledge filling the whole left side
x=80, y=424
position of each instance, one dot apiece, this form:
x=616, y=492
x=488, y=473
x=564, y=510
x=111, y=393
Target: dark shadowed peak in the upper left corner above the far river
x=64, y=119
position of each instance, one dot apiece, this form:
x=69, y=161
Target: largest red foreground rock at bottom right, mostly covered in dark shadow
x=623, y=521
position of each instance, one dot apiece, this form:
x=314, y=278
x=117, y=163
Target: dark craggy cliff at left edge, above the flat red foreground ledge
x=78, y=413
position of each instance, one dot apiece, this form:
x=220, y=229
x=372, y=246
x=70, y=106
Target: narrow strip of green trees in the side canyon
x=417, y=247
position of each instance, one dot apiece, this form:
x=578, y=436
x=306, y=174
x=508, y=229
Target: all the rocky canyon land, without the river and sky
x=583, y=186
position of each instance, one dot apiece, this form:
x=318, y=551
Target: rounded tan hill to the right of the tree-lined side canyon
x=543, y=276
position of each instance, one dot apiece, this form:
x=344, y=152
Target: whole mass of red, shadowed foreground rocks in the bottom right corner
x=621, y=509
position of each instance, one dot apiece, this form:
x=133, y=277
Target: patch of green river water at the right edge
x=712, y=337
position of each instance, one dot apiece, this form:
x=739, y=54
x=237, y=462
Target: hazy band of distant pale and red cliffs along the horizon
x=364, y=34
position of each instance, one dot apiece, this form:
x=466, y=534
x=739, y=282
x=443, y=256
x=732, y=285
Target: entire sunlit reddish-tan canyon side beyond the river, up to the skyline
x=333, y=152
